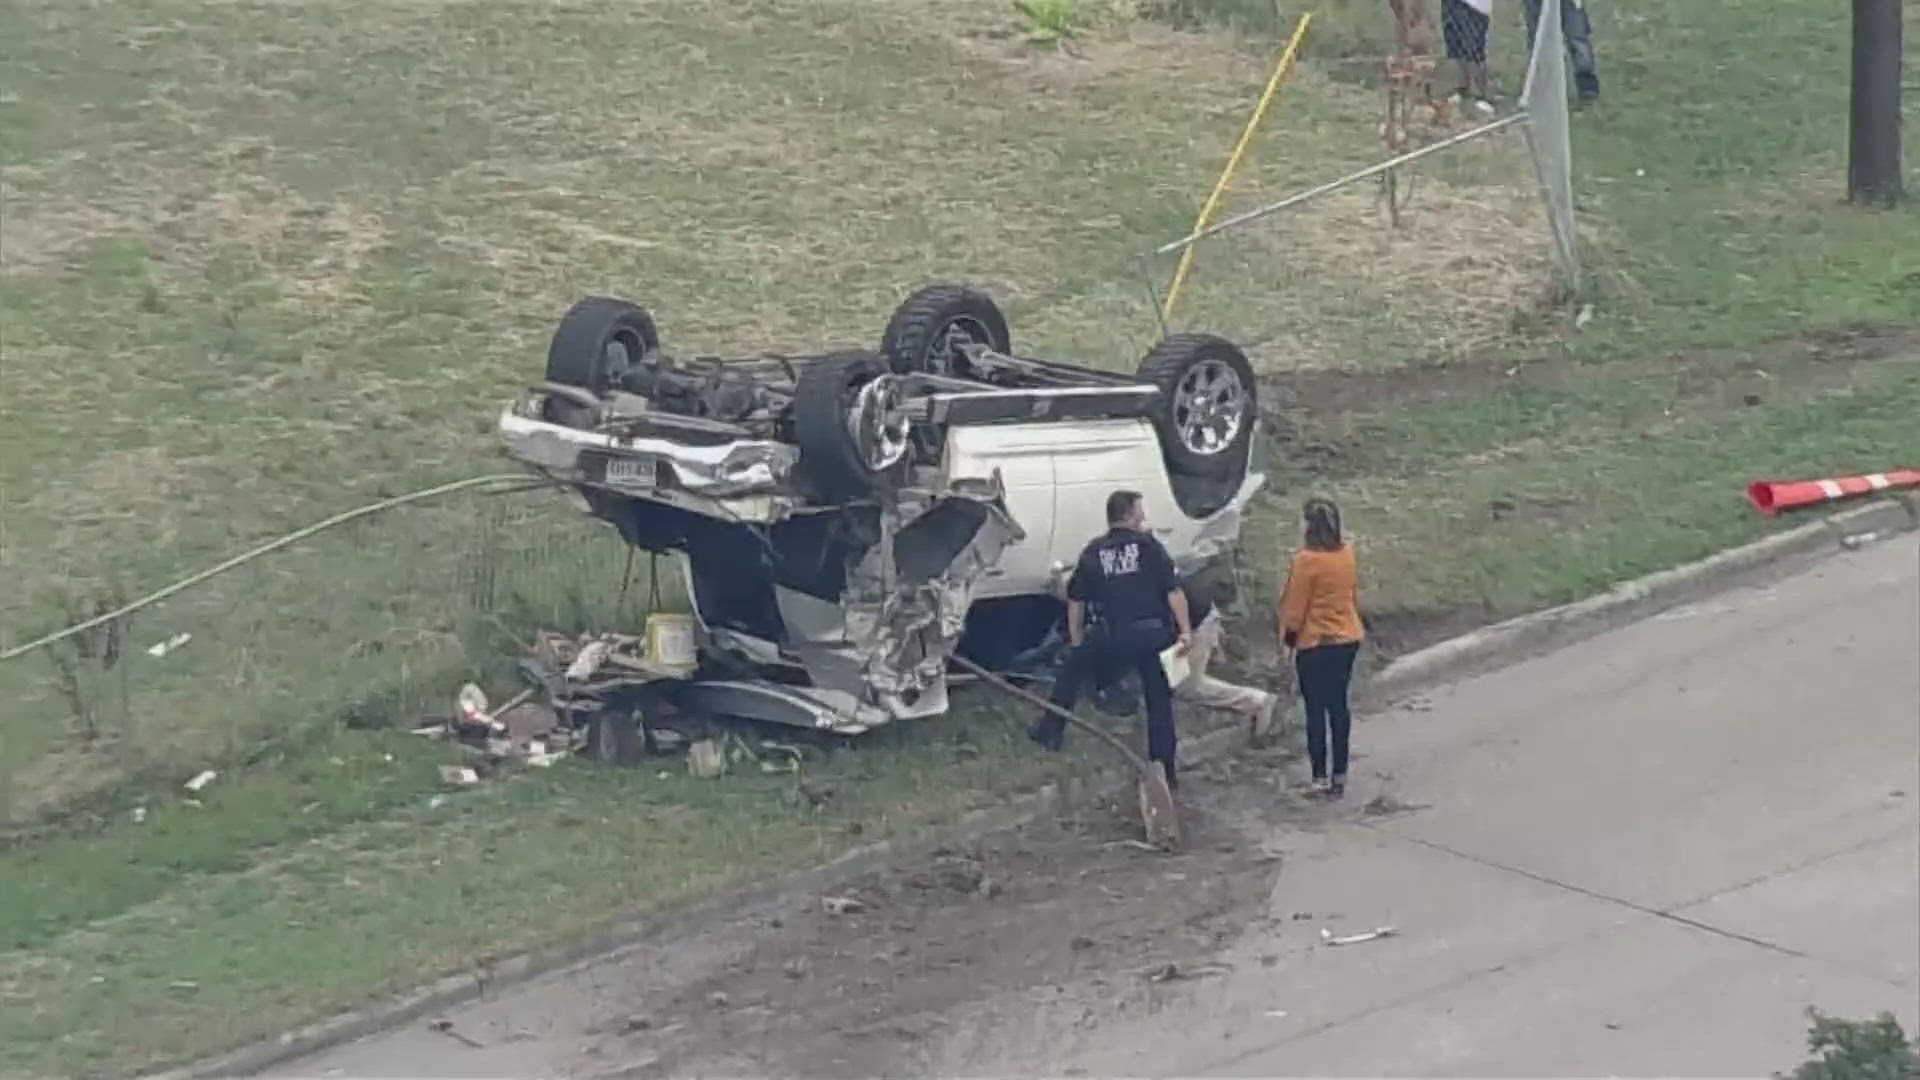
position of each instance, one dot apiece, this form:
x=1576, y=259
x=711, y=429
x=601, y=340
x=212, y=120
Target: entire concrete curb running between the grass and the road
x=1447, y=662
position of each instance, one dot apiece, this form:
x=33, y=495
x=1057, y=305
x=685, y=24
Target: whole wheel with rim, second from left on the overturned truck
x=855, y=439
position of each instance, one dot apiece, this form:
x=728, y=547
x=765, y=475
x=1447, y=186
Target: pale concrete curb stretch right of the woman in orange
x=1558, y=627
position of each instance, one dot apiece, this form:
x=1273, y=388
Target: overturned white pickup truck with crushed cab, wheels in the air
x=850, y=520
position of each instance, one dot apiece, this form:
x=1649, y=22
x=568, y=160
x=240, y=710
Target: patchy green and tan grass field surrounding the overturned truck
x=264, y=264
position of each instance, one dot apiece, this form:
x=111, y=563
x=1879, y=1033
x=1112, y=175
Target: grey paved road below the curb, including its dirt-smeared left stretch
x=1643, y=856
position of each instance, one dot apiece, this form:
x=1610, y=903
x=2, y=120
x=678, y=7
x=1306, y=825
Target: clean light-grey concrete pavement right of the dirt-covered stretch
x=1643, y=856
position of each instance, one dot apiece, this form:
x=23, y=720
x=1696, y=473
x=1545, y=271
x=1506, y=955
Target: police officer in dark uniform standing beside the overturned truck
x=1124, y=608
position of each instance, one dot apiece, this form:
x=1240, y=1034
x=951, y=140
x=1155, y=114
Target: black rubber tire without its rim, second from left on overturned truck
x=838, y=462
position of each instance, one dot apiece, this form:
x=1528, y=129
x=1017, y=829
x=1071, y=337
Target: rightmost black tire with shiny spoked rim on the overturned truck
x=1197, y=447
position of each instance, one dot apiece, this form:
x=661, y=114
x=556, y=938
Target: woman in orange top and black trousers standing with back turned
x=1320, y=622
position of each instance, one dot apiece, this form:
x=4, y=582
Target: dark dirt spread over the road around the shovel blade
x=869, y=981
